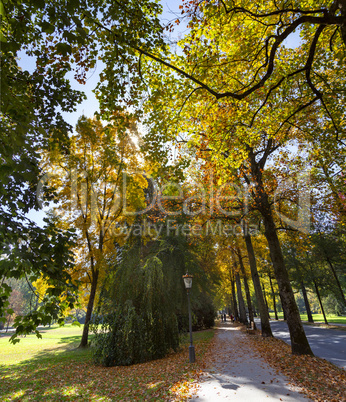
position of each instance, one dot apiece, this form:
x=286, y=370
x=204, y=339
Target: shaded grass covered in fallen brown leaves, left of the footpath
x=172, y=378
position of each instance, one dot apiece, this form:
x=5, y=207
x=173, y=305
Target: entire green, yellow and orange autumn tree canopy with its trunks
x=230, y=103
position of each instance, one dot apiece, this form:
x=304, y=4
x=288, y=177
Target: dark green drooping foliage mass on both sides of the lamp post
x=143, y=301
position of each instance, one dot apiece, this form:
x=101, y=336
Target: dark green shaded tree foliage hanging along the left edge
x=31, y=105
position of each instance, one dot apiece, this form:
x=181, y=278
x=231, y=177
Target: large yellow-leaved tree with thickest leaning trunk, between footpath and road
x=265, y=92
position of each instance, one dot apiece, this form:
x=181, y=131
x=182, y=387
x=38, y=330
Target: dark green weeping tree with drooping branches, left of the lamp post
x=136, y=319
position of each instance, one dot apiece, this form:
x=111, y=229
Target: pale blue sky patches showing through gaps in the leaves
x=90, y=105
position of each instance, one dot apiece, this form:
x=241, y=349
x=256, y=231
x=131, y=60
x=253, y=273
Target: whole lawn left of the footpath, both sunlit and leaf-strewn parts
x=53, y=369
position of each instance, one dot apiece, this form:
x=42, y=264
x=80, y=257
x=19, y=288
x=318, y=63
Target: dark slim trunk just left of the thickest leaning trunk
x=265, y=325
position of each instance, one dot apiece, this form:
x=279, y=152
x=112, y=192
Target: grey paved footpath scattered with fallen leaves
x=237, y=373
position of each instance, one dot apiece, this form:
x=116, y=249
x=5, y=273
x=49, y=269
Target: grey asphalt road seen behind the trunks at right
x=330, y=344
